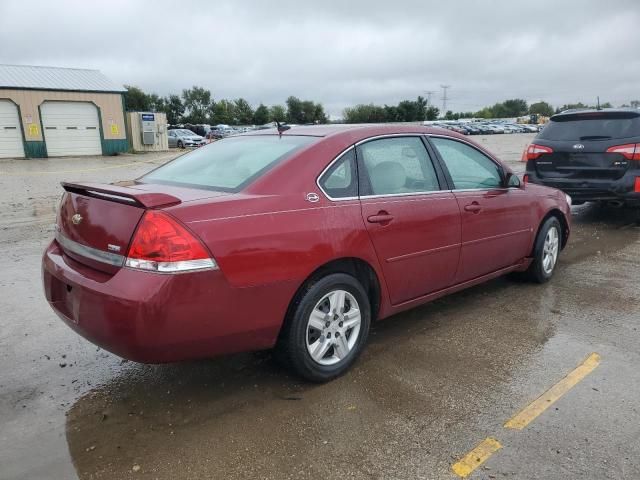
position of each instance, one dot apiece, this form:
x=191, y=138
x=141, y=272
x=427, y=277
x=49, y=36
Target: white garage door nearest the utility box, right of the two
x=71, y=128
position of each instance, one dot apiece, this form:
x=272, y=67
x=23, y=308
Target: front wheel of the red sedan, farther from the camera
x=546, y=251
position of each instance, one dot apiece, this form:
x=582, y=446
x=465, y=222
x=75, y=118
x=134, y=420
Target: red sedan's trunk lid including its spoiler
x=96, y=222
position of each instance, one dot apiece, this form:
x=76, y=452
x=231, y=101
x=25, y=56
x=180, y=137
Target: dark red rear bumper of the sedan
x=155, y=318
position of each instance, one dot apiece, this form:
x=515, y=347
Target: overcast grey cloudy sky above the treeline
x=341, y=53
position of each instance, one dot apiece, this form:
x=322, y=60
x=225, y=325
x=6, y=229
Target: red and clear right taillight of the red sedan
x=161, y=244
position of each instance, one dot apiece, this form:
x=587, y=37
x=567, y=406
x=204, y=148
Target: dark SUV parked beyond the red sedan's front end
x=592, y=155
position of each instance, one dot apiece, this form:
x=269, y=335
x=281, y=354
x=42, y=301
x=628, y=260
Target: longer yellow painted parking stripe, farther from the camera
x=544, y=401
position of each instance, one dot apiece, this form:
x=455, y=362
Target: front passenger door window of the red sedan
x=469, y=168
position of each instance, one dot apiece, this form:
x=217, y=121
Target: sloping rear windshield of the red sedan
x=228, y=165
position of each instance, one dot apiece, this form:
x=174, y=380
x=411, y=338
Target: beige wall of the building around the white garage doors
x=110, y=105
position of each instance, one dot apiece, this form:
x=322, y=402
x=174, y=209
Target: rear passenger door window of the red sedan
x=397, y=165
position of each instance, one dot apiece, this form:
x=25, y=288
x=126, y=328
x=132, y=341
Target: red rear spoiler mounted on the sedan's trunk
x=128, y=196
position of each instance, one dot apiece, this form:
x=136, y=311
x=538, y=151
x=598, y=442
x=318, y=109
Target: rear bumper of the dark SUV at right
x=589, y=190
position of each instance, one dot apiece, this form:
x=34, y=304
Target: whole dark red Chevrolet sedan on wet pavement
x=297, y=240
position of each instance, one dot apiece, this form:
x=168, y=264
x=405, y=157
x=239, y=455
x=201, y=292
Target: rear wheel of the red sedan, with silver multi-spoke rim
x=327, y=328
